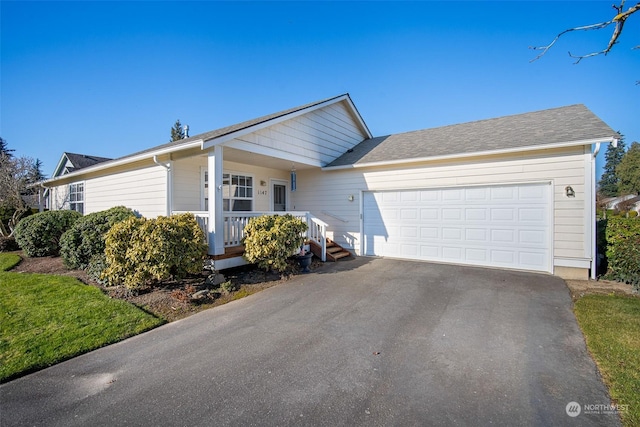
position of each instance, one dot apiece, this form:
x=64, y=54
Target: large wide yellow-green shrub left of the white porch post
x=140, y=252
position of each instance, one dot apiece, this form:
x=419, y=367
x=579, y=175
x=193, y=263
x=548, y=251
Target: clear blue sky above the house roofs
x=111, y=78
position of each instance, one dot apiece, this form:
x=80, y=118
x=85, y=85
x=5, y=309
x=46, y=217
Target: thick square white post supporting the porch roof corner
x=216, y=218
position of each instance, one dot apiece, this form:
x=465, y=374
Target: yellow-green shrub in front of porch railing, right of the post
x=271, y=239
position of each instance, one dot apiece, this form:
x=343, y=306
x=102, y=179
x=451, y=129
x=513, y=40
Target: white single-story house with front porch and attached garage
x=513, y=192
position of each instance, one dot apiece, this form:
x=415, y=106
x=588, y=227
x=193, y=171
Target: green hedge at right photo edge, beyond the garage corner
x=623, y=250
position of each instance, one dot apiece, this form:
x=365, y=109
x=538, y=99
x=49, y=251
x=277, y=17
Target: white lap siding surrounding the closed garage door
x=325, y=193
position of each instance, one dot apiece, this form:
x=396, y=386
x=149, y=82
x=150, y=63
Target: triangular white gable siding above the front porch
x=316, y=138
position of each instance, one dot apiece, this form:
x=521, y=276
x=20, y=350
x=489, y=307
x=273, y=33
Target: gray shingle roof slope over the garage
x=553, y=126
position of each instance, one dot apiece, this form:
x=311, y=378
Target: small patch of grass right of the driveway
x=611, y=326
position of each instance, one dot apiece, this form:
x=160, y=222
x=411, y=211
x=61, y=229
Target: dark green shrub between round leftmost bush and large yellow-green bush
x=86, y=238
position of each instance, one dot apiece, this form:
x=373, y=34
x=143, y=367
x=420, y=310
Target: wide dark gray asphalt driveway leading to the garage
x=362, y=342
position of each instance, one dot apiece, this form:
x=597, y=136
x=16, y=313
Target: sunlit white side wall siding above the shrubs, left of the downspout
x=143, y=190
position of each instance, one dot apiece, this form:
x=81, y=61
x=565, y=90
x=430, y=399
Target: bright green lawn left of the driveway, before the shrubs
x=45, y=319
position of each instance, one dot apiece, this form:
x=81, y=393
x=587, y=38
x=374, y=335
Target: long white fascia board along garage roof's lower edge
x=474, y=154
